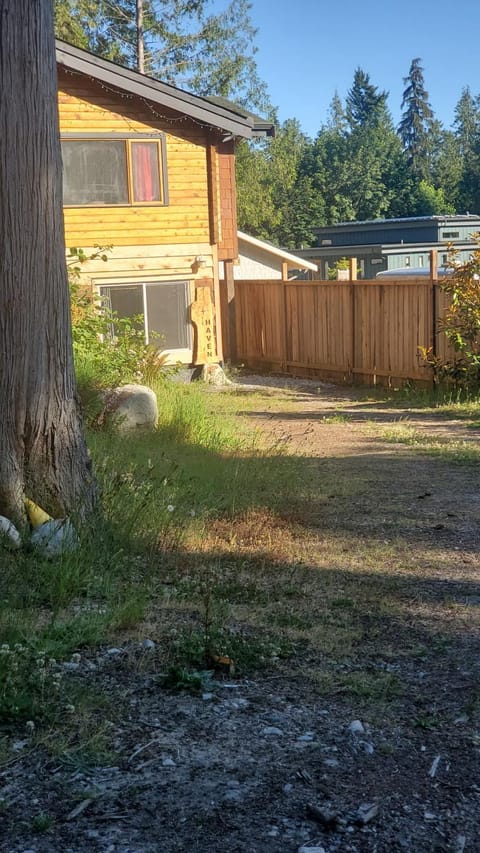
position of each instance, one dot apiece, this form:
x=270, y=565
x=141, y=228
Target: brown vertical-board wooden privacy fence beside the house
x=366, y=331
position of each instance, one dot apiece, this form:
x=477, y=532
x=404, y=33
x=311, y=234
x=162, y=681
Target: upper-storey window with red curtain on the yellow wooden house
x=108, y=170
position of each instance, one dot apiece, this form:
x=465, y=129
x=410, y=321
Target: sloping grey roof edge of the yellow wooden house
x=208, y=111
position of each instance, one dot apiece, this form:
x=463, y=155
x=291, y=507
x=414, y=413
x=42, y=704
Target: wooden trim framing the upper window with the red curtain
x=128, y=138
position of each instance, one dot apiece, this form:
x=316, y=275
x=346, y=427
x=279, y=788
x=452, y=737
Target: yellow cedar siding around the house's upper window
x=86, y=107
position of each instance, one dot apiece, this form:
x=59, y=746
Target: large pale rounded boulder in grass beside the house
x=131, y=407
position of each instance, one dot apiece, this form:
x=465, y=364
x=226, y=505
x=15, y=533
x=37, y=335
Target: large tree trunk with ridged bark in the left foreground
x=42, y=450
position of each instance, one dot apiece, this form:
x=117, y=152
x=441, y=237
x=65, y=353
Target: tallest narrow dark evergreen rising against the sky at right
x=416, y=122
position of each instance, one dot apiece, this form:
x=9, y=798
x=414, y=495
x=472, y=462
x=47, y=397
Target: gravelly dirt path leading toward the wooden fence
x=366, y=739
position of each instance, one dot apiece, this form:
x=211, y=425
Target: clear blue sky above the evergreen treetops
x=309, y=48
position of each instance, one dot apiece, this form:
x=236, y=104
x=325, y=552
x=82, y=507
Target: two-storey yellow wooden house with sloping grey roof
x=150, y=171
